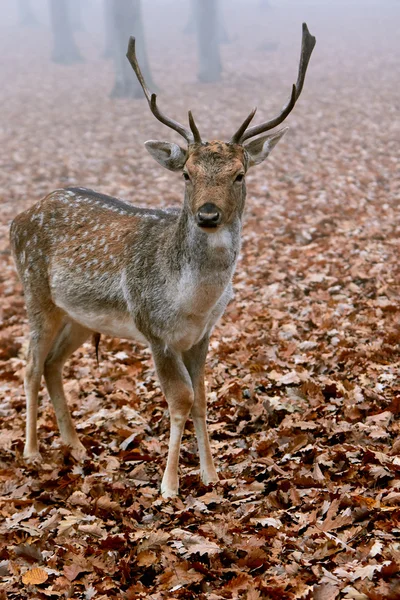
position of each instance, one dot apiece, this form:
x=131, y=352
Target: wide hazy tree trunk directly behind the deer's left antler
x=126, y=21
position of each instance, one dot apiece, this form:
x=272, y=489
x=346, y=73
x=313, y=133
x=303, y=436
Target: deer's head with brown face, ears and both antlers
x=214, y=172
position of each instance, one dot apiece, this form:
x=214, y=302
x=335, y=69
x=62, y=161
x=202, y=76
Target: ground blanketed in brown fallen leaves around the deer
x=303, y=387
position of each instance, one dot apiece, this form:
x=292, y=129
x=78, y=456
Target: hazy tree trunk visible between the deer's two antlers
x=208, y=41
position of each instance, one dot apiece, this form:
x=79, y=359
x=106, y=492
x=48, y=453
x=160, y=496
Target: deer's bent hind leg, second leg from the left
x=70, y=337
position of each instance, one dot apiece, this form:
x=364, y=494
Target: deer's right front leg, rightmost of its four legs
x=194, y=360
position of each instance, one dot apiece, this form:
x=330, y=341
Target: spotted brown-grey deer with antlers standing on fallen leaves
x=92, y=264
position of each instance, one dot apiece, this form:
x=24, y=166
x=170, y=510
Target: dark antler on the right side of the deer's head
x=243, y=134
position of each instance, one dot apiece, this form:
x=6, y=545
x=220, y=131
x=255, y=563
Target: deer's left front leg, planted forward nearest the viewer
x=177, y=387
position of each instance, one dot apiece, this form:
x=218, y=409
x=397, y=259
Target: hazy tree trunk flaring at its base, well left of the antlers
x=65, y=51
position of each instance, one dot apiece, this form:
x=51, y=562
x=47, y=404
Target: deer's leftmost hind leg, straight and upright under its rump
x=44, y=328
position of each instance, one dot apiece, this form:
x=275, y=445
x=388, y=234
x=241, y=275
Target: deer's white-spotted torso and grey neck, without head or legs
x=125, y=271
